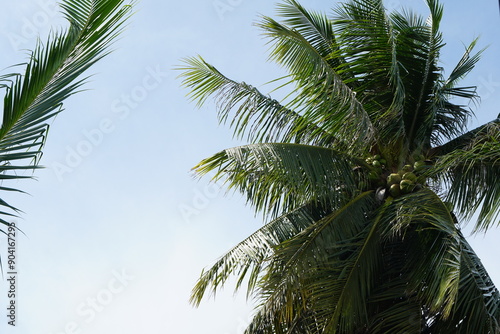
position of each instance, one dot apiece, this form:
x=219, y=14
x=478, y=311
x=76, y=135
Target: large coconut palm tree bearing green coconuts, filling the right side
x=363, y=173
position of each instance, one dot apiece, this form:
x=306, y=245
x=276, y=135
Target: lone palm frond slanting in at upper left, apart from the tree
x=53, y=73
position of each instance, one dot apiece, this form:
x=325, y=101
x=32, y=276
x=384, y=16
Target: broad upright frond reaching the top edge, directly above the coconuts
x=368, y=42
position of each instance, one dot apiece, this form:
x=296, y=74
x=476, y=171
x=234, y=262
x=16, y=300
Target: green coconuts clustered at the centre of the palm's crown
x=405, y=181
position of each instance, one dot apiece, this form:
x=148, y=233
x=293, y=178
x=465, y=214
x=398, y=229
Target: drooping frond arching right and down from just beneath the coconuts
x=424, y=225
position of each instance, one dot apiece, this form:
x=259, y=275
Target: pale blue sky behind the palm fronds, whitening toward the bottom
x=117, y=229
